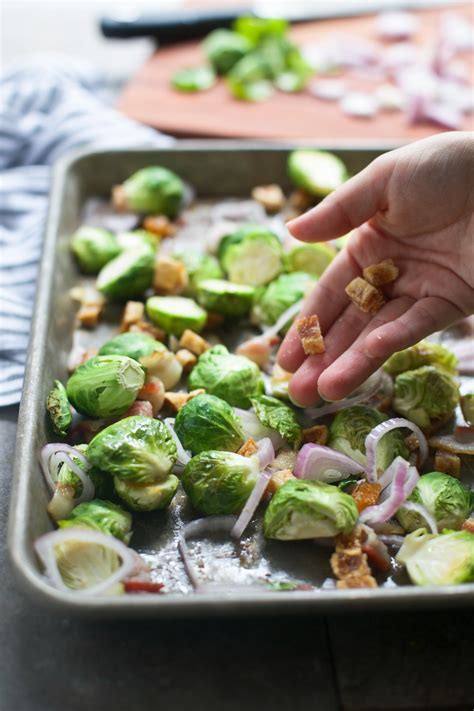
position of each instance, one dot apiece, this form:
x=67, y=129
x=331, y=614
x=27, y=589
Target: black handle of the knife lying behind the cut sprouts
x=168, y=28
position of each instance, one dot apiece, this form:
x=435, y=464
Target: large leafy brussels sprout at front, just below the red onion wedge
x=309, y=509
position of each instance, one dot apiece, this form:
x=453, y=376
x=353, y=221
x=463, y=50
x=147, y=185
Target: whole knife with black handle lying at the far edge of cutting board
x=185, y=24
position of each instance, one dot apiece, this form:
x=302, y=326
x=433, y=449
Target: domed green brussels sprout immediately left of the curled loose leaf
x=207, y=422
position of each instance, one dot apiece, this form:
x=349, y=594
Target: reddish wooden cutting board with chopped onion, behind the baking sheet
x=214, y=113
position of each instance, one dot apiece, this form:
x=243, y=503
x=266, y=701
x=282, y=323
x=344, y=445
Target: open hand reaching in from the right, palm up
x=415, y=205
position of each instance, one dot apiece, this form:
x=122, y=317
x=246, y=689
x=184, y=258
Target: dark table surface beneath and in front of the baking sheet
x=419, y=660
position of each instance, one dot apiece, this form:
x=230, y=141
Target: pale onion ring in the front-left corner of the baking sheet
x=45, y=548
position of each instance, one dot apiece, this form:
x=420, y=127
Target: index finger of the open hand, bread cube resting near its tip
x=327, y=300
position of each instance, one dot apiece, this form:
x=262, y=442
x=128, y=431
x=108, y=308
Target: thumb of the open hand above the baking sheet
x=355, y=202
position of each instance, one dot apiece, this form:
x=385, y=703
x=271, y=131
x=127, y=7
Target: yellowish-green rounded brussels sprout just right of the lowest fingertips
x=425, y=395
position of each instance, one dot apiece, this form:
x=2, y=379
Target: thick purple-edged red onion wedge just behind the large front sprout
x=314, y=460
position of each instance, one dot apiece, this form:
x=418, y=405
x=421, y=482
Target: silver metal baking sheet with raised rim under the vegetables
x=80, y=188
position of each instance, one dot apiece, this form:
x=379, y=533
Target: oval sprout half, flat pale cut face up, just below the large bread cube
x=175, y=314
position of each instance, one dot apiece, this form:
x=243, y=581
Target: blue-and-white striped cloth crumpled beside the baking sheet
x=48, y=107
